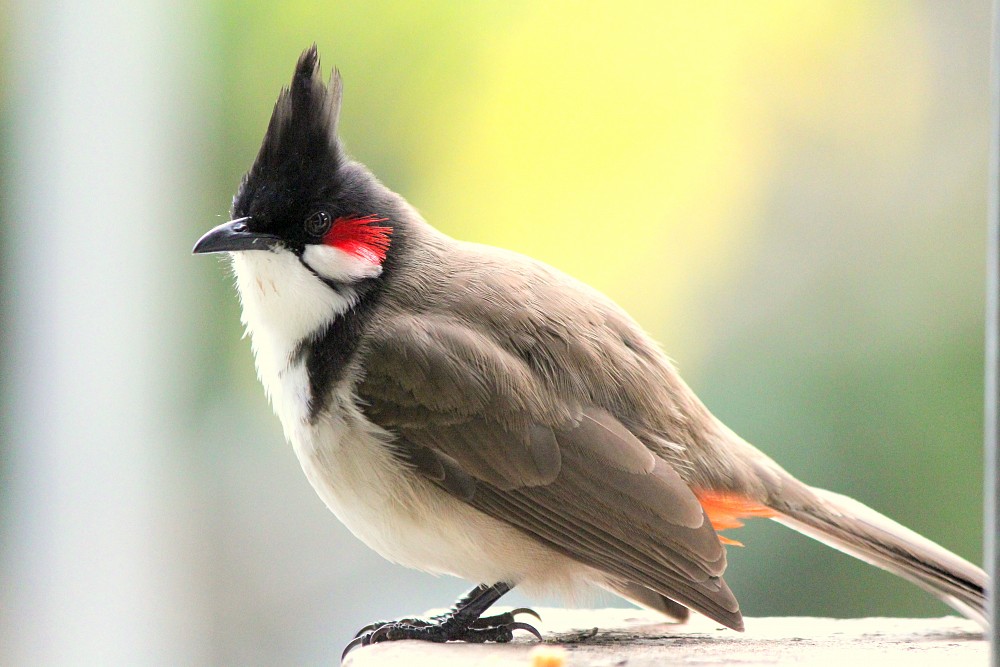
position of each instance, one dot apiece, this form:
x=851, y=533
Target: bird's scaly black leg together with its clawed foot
x=464, y=622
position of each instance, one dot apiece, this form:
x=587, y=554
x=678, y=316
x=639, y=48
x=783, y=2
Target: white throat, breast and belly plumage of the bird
x=347, y=459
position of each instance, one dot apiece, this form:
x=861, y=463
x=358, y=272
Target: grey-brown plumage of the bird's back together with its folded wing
x=485, y=391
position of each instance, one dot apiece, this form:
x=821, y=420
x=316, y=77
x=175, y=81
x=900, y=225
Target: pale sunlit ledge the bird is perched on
x=611, y=637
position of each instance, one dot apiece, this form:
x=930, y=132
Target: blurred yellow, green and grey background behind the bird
x=789, y=196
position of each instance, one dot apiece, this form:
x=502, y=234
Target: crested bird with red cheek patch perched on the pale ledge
x=468, y=410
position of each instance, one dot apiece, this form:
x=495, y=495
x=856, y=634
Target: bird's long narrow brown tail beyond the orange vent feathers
x=860, y=531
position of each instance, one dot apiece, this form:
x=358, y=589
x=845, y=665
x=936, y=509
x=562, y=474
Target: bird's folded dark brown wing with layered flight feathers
x=476, y=420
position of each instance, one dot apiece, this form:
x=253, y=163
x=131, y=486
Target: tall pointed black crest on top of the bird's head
x=300, y=152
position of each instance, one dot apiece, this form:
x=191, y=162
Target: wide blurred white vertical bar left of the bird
x=95, y=551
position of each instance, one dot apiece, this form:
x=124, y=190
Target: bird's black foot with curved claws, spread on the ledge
x=445, y=628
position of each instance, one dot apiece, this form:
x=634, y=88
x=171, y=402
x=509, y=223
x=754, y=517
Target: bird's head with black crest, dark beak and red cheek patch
x=303, y=197
